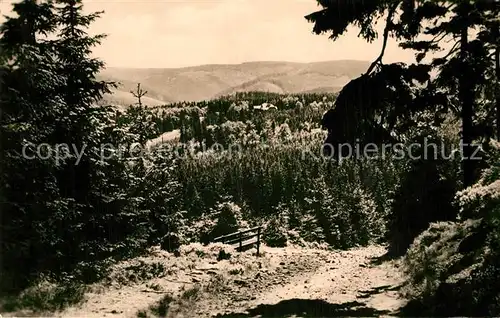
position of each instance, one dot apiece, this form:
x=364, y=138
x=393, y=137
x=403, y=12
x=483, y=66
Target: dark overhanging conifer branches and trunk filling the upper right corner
x=424, y=26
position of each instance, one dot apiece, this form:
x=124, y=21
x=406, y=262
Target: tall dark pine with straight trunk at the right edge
x=467, y=60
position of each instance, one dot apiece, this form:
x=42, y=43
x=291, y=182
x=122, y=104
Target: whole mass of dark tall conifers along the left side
x=60, y=212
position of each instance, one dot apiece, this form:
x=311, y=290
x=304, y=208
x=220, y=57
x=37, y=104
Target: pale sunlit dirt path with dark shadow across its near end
x=348, y=284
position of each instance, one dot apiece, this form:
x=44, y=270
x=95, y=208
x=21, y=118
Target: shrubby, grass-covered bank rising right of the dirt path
x=452, y=269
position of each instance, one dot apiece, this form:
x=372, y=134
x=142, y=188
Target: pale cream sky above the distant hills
x=176, y=33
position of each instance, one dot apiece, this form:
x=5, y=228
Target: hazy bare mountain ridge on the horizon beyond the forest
x=204, y=82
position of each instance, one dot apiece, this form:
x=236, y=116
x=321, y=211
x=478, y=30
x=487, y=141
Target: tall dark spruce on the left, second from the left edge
x=103, y=218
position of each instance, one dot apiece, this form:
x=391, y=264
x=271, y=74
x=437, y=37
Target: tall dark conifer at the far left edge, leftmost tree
x=29, y=104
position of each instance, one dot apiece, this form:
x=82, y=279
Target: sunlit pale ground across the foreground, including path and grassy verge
x=283, y=282
